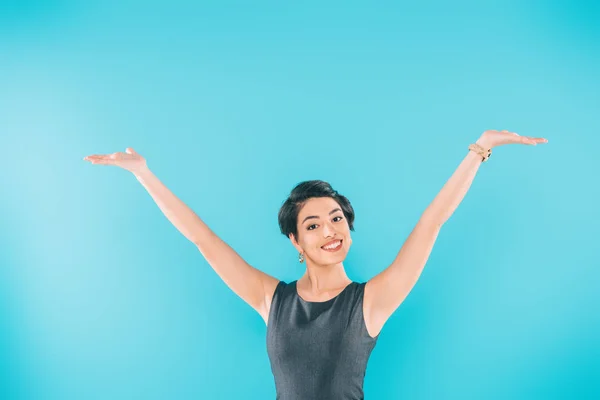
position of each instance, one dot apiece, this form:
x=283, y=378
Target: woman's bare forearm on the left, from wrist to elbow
x=176, y=211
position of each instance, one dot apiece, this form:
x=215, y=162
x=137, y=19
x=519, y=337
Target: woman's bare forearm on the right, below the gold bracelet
x=455, y=189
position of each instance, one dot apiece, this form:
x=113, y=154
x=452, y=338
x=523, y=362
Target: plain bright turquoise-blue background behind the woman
x=233, y=103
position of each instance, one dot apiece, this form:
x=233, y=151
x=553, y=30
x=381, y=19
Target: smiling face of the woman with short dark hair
x=320, y=222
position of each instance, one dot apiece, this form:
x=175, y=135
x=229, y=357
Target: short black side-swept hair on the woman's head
x=288, y=213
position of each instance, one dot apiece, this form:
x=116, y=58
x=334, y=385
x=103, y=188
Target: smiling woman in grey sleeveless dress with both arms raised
x=321, y=328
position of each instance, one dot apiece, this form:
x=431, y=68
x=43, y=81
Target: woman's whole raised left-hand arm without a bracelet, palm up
x=252, y=285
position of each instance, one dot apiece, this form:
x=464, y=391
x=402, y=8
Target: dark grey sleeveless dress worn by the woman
x=318, y=350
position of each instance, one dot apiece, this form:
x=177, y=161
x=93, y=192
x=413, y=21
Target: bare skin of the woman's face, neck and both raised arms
x=325, y=276
